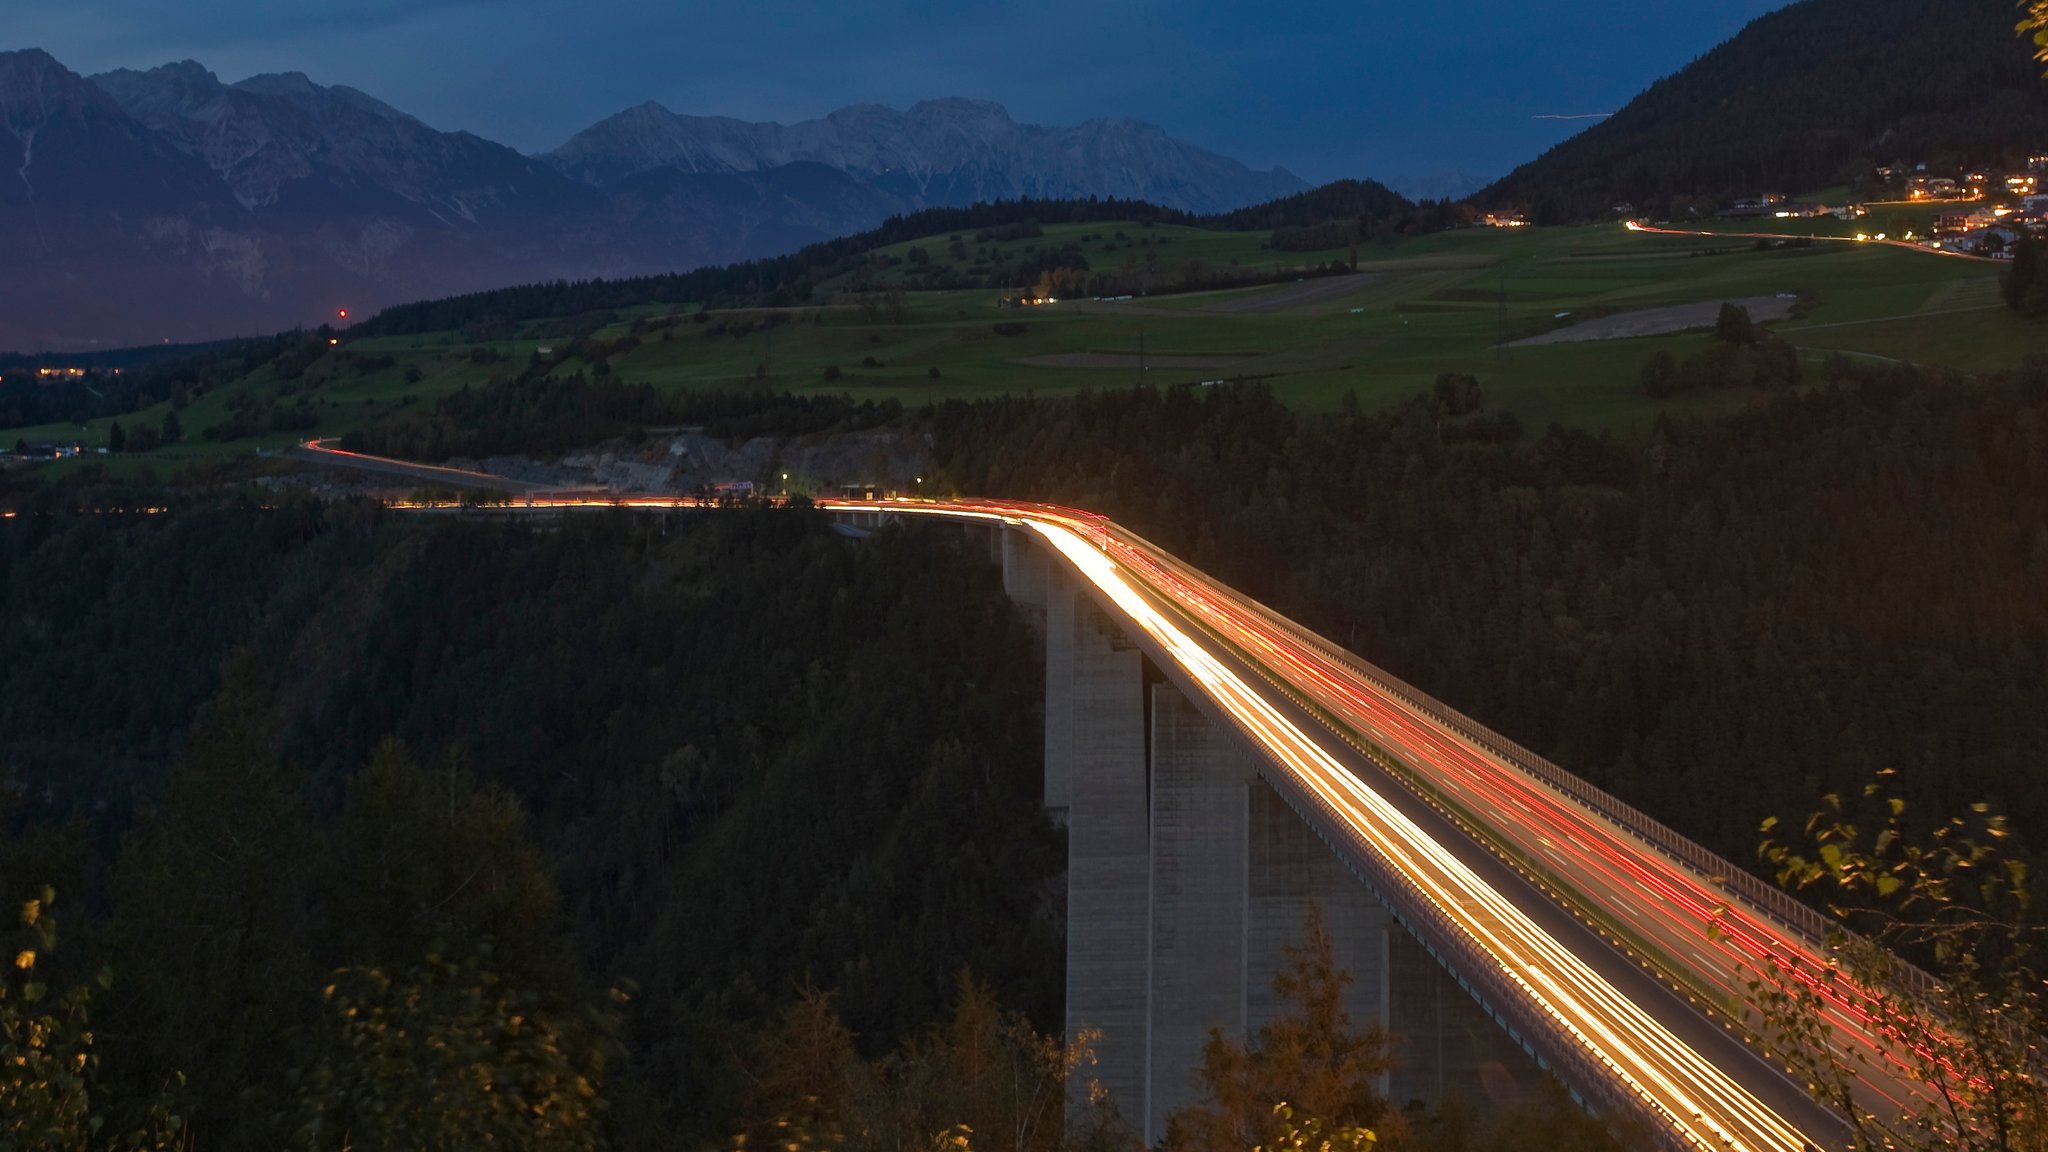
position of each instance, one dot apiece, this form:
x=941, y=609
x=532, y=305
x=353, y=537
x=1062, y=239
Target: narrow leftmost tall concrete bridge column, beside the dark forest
x=1107, y=858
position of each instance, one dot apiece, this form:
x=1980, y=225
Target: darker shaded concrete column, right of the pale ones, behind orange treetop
x=1291, y=870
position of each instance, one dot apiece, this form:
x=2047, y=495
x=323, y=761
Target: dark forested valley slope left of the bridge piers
x=751, y=757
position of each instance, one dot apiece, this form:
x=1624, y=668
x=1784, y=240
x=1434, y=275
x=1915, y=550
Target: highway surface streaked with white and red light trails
x=1629, y=964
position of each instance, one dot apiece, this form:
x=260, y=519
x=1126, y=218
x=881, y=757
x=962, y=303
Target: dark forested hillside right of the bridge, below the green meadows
x=1721, y=622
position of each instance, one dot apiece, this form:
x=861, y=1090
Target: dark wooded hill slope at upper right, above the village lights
x=1801, y=99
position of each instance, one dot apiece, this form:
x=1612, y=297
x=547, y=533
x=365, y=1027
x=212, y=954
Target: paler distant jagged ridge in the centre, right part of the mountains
x=939, y=153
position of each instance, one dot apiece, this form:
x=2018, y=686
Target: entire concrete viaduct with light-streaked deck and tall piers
x=1220, y=770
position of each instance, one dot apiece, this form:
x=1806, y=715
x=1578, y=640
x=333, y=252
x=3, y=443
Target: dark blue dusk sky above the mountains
x=1328, y=89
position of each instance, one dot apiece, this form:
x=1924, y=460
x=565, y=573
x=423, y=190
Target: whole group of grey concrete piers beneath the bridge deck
x=1189, y=878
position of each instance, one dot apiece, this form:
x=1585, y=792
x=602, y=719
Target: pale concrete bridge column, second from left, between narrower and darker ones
x=1201, y=792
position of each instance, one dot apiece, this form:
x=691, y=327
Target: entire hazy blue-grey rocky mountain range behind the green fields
x=169, y=206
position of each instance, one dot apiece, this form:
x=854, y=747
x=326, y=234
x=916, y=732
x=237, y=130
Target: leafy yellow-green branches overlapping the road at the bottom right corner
x=1955, y=897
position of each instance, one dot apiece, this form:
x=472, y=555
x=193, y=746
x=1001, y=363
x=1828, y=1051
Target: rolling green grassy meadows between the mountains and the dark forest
x=1416, y=308
